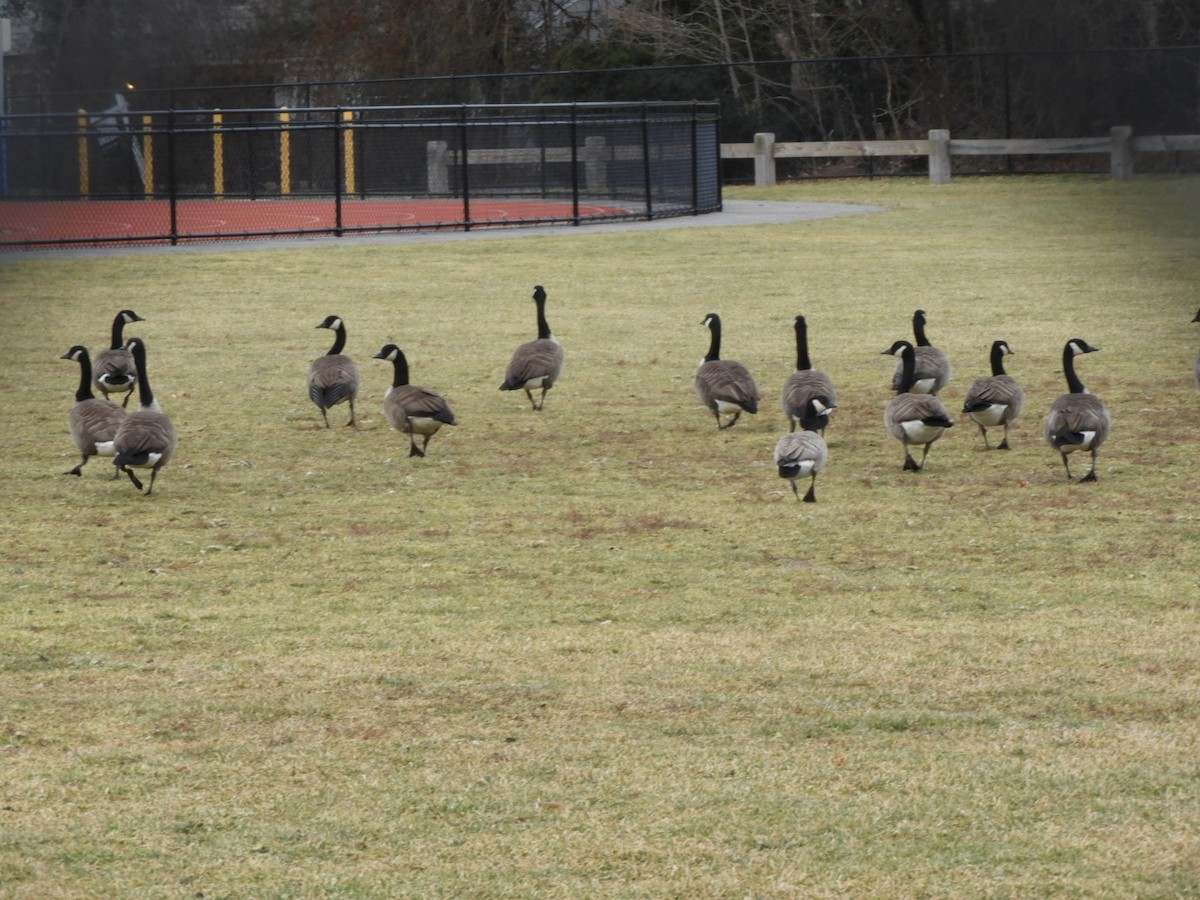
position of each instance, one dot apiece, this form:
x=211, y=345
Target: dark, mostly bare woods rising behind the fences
x=806, y=70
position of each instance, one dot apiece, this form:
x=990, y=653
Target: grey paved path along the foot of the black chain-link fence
x=735, y=213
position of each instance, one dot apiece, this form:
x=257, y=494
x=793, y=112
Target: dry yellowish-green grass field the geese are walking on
x=602, y=651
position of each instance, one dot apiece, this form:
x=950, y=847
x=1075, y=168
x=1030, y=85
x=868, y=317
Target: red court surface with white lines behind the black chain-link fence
x=23, y=223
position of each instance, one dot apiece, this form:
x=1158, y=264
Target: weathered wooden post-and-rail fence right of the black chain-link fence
x=1121, y=146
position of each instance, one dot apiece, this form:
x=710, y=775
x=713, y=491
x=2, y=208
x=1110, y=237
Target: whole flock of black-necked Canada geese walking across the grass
x=916, y=417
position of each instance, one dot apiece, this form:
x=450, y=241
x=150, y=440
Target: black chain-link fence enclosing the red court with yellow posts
x=362, y=170
